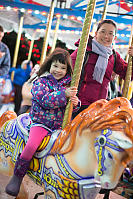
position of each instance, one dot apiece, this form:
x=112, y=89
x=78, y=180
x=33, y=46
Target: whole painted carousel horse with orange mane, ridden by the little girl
x=90, y=153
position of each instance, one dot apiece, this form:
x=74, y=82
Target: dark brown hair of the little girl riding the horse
x=60, y=55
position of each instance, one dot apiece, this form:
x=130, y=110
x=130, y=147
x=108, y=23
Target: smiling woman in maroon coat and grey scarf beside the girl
x=97, y=71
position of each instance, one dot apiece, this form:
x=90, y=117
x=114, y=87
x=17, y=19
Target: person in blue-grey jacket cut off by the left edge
x=5, y=59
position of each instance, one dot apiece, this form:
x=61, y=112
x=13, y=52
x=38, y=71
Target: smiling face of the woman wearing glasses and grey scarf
x=106, y=34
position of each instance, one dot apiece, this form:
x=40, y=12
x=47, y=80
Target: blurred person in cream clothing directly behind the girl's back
x=26, y=91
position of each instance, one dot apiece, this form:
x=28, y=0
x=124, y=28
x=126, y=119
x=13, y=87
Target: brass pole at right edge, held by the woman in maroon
x=128, y=74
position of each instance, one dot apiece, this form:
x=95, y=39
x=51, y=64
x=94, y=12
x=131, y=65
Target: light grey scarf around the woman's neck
x=102, y=61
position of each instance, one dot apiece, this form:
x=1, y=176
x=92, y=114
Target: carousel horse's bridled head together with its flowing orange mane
x=117, y=150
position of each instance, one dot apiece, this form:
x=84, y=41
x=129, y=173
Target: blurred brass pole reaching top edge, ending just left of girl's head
x=48, y=27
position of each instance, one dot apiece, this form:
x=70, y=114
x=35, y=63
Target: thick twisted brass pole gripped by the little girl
x=80, y=56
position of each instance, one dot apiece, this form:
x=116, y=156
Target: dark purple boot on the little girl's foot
x=21, y=167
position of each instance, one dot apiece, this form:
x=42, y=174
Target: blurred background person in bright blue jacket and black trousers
x=21, y=75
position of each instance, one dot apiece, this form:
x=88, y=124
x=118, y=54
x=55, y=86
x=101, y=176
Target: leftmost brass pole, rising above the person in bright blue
x=17, y=45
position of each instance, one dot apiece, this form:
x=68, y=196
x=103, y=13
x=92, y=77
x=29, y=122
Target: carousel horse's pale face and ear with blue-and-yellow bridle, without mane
x=112, y=156
